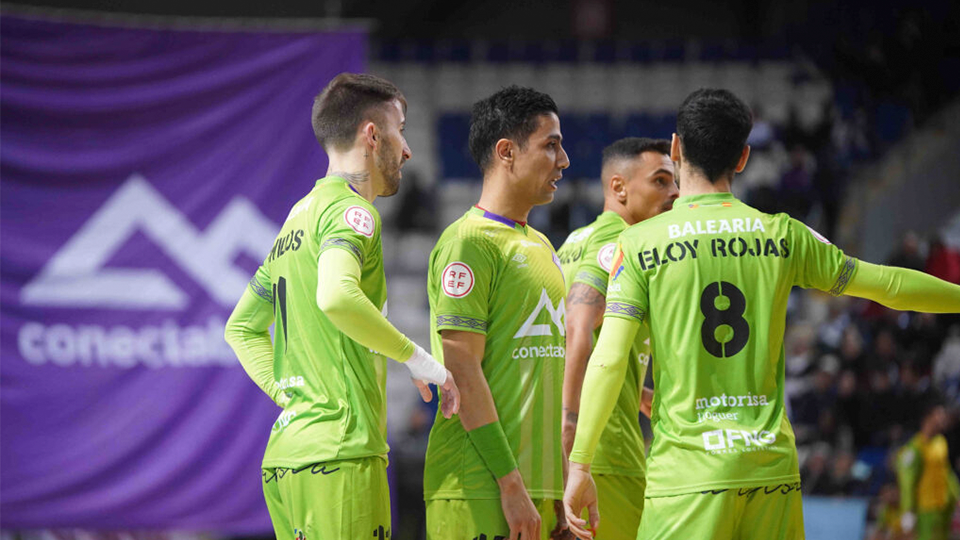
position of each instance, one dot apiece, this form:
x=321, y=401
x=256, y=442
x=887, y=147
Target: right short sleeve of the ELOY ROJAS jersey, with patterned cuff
x=819, y=264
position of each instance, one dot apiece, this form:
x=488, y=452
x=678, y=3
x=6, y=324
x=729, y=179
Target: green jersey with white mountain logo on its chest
x=499, y=278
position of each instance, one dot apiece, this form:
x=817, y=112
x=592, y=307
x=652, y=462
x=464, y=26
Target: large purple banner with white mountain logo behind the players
x=143, y=176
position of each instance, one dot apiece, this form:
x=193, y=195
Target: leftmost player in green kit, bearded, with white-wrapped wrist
x=323, y=288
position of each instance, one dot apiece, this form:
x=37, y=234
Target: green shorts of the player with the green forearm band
x=479, y=519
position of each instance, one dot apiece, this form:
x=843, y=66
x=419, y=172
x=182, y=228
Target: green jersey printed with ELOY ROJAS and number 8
x=711, y=278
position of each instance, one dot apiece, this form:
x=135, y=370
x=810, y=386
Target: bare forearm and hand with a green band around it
x=462, y=353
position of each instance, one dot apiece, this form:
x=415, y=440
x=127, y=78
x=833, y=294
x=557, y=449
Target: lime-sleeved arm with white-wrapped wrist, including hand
x=340, y=298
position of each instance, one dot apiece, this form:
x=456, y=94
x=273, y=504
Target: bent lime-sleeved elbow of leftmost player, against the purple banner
x=247, y=333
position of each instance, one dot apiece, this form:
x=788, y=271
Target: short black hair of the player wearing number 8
x=713, y=125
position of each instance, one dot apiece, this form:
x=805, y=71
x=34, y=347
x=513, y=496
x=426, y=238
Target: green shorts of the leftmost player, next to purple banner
x=335, y=499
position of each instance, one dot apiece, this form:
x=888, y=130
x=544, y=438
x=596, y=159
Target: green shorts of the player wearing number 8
x=772, y=512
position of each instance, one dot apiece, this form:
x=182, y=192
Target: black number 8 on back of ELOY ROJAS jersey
x=724, y=331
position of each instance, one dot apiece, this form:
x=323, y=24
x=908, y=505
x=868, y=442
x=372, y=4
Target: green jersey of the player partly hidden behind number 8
x=587, y=257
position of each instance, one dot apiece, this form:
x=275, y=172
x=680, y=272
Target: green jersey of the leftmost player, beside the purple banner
x=335, y=387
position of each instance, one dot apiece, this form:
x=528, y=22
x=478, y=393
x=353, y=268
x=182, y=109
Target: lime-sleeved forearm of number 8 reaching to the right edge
x=904, y=289
